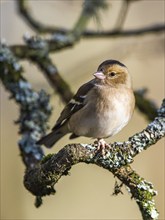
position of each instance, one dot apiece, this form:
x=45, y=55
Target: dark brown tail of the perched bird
x=50, y=139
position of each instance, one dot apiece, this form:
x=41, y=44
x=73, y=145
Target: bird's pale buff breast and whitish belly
x=103, y=116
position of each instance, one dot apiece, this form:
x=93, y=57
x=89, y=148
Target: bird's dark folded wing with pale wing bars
x=75, y=104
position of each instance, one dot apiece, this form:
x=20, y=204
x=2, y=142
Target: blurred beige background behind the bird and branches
x=87, y=192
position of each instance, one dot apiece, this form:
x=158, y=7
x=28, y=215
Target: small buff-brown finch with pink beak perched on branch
x=99, y=109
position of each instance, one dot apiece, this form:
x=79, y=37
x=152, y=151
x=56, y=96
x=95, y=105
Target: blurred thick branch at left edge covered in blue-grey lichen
x=34, y=107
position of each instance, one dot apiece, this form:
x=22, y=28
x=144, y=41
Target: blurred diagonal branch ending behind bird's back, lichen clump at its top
x=37, y=51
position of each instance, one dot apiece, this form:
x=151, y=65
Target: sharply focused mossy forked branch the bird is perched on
x=41, y=180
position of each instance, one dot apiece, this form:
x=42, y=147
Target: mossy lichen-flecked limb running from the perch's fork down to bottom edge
x=141, y=190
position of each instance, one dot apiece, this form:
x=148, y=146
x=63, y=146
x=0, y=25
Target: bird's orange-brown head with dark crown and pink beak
x=113, y=73
